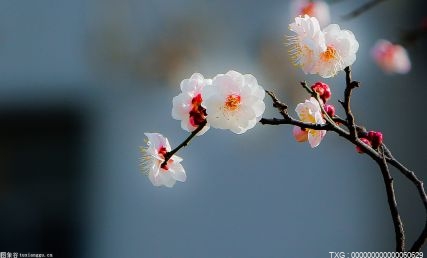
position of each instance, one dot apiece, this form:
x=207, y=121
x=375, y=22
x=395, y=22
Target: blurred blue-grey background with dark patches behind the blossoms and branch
x=81, y=81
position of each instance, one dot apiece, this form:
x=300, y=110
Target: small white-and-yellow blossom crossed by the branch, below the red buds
x=310, y=112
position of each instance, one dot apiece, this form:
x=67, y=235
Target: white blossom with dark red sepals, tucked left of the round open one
x=187, y=106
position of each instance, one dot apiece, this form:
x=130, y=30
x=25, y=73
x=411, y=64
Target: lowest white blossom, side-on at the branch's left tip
x=153, y=155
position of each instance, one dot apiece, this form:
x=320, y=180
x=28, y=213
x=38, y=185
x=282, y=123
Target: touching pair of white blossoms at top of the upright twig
x=323, y=52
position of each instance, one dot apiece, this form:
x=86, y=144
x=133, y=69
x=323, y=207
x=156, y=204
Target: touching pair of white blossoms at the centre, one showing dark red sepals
x=230, y=101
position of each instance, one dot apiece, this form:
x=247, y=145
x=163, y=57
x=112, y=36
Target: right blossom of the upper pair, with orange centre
x=341, y=48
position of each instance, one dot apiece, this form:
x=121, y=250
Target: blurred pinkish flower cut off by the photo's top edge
x=318, y=9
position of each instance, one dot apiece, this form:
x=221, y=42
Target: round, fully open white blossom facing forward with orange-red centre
x=233, y=101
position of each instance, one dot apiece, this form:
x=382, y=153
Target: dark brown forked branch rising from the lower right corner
x=381, y=156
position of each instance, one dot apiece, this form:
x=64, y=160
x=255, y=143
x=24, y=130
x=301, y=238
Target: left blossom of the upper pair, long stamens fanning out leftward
x=307, y=45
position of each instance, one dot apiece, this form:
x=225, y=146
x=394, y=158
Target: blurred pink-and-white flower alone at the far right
x=391, y=58
